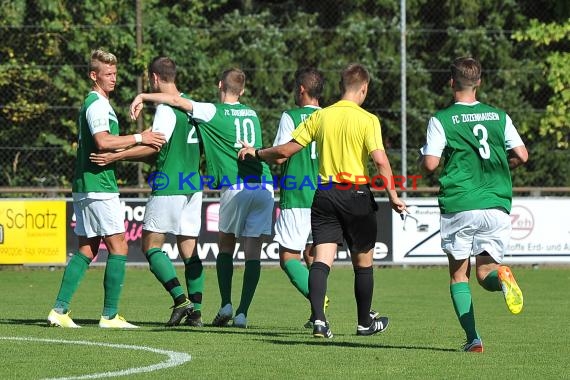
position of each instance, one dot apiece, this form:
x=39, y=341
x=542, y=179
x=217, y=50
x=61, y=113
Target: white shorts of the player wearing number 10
x=245, y=212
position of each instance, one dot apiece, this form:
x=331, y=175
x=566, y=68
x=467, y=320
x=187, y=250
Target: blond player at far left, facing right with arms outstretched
x=98, y=212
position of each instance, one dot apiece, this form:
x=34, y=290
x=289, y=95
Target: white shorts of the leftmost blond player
x=98, y=217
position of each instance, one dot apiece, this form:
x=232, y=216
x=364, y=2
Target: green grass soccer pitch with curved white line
x=422, y=341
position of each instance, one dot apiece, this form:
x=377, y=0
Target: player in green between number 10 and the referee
x=298, y=184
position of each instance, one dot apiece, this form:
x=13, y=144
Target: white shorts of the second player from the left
x=174, y=214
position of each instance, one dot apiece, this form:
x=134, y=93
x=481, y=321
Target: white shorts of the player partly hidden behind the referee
x=293, y=228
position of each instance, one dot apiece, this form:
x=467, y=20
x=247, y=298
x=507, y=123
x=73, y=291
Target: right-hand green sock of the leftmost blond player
x=113, y=284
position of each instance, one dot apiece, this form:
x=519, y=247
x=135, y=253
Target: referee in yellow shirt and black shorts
x=343, y=207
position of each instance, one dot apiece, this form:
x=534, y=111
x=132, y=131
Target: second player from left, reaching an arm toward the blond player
x=177, y=207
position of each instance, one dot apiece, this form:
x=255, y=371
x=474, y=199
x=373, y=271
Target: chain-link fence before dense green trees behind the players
x=45, y=49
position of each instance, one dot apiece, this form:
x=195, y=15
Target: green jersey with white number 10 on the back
x=222, y=126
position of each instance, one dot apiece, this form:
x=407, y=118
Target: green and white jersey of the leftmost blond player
x=94, y=181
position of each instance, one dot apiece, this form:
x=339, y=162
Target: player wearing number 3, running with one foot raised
x=479, y=144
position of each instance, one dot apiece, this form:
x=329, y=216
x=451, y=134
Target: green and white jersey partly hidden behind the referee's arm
x=299, y=172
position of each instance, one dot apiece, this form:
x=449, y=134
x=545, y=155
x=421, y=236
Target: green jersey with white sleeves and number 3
x=473, y=139
